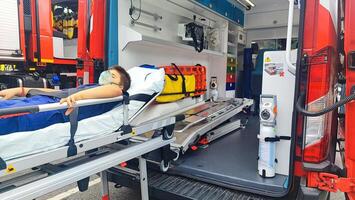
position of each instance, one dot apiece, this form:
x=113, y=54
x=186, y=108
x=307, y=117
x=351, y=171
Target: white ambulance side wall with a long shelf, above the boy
x=143, y=53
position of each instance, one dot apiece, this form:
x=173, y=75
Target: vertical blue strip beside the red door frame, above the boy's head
x=112, y=51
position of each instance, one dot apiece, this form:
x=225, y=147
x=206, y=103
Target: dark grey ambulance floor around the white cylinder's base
x=231, y=162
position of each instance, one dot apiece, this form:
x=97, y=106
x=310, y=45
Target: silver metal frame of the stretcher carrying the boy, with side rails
x=81, y=172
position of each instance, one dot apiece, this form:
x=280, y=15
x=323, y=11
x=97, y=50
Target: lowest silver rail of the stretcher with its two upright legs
x=82, y=171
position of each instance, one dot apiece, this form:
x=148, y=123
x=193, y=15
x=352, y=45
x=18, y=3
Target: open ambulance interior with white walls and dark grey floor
x=235, y=55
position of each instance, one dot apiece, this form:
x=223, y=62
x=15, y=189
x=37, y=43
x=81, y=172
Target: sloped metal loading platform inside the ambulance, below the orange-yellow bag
x=203, y=121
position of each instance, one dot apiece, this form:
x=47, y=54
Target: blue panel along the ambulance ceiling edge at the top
x=226, y=9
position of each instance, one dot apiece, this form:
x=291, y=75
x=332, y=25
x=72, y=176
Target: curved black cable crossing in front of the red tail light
x=300, y=106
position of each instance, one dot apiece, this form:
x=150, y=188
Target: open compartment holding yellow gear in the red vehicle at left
x=65, y=28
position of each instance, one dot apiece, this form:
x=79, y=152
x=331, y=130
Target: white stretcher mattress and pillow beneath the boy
x=19, y=144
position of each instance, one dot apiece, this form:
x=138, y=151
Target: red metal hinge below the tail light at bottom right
x=332, y=183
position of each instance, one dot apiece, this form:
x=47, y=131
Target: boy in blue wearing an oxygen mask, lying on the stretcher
x=112, y=83
